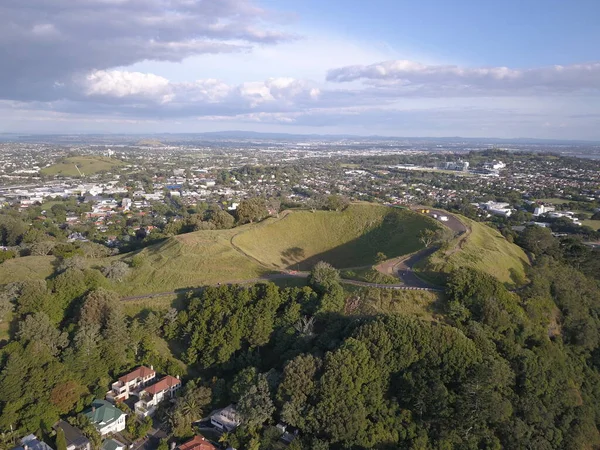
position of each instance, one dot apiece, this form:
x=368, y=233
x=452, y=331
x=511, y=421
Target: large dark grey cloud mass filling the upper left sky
x=43, y=41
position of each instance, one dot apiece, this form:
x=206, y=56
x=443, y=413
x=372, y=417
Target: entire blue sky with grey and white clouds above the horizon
x=384, y=67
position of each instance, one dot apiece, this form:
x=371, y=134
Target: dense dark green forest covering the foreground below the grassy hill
x=498, y=369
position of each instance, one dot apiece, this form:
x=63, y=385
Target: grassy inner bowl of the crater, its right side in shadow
x=350, y=238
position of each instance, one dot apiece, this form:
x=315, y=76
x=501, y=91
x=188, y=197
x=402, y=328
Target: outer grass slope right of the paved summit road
x=483, y=249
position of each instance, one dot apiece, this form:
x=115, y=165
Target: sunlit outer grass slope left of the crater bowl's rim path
x=188, y=260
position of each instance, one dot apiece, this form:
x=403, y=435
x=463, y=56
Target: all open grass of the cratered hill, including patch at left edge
x=298, y=239
